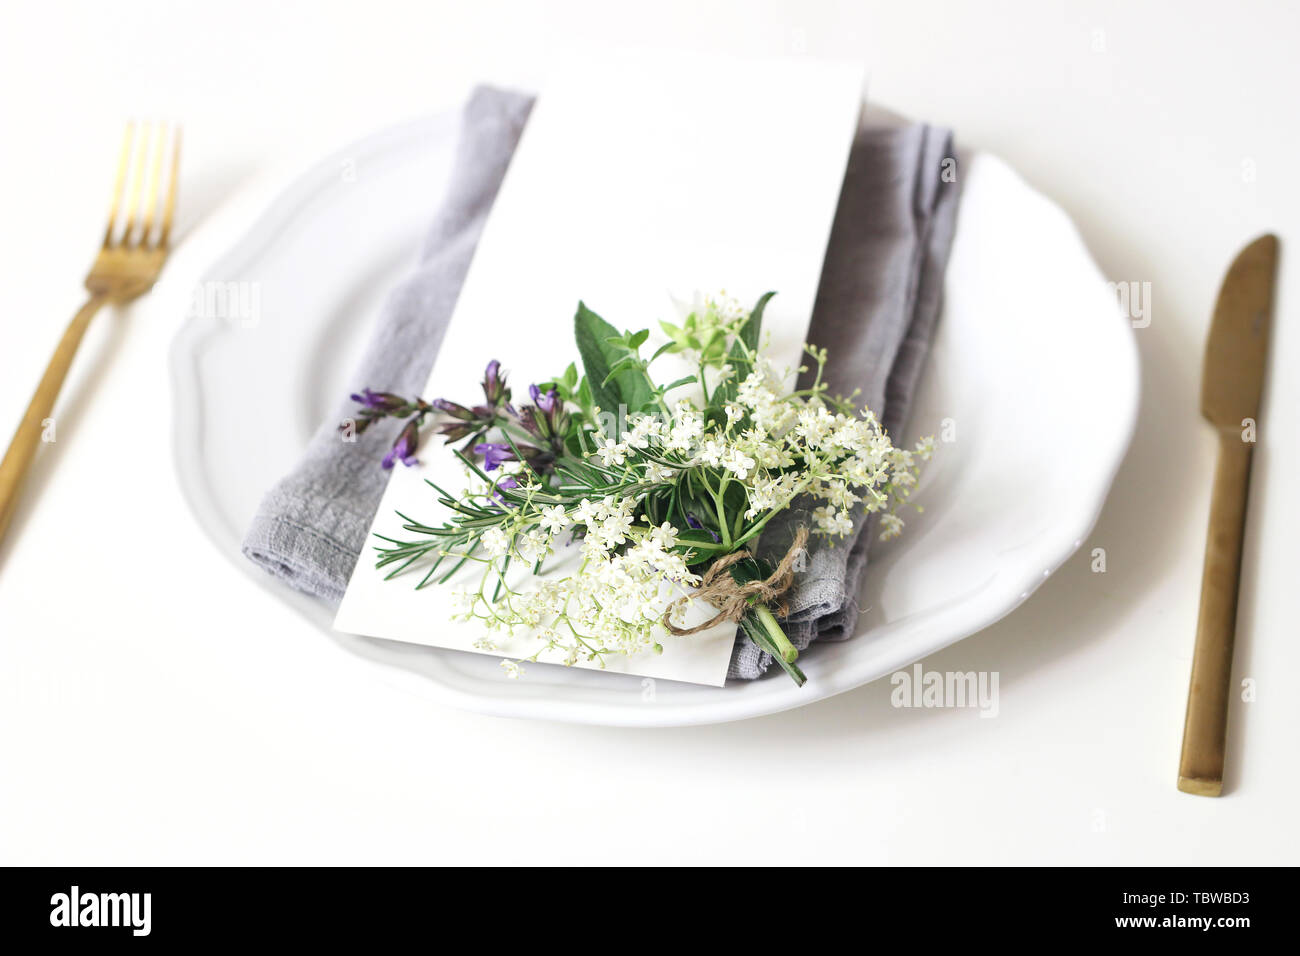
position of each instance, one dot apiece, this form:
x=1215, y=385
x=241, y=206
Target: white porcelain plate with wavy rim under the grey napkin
x=1032, y=388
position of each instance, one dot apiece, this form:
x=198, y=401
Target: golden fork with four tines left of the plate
x=128, y=266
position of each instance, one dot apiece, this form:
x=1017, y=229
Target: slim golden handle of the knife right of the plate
x=1201, y=771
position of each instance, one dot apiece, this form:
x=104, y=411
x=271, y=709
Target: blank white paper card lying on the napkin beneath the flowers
x=639, y=180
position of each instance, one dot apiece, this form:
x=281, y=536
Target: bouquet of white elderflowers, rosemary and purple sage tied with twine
x=662, y=486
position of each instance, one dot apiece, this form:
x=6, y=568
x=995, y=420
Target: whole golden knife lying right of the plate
x=1236, y=357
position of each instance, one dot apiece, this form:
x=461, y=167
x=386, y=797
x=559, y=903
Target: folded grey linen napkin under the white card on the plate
x=876, y=312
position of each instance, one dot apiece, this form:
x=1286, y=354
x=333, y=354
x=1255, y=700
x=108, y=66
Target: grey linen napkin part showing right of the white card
x=876, y=313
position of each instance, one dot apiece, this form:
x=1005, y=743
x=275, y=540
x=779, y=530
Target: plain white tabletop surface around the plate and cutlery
x=157, y=708
